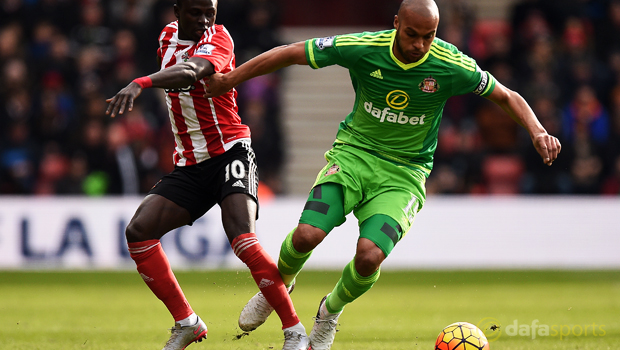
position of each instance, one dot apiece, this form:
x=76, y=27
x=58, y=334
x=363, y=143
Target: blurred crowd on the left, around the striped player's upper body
x=61, y=59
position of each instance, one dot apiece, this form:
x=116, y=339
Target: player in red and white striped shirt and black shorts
x=214, y=164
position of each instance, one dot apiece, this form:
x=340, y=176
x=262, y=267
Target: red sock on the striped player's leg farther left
x=155, y=270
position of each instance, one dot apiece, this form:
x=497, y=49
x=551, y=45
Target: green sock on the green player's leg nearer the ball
x=350, y=287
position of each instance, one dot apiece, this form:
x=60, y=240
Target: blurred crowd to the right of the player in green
x=563, y=57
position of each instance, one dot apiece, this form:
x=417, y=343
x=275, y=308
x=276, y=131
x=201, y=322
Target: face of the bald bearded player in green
x=414, y=36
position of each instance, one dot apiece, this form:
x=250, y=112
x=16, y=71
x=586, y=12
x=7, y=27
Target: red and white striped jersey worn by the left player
x=203, y=128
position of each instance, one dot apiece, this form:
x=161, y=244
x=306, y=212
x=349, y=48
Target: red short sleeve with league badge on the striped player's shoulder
x=217, y=49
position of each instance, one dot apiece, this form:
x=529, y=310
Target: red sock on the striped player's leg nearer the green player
x=265, y=273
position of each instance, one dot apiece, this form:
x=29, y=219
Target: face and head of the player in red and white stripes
x=195, y=16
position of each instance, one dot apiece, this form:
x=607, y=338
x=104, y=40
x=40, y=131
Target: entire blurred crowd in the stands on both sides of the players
x=61, y=59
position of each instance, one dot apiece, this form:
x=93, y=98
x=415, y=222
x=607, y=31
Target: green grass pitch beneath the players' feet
x=404, y=310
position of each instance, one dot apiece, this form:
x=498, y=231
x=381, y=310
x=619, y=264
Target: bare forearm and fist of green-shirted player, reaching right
x=547, y=146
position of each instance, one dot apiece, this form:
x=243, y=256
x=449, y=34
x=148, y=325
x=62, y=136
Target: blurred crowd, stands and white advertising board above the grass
x=71, y=177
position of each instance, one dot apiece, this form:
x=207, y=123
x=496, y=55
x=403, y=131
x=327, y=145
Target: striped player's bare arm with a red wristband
x=178, y=76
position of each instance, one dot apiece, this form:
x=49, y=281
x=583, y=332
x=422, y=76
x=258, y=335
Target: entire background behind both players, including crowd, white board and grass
x=71, y=178
